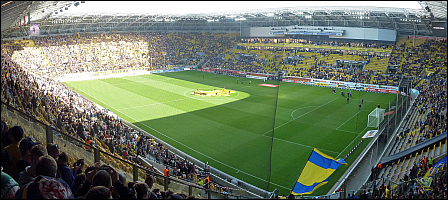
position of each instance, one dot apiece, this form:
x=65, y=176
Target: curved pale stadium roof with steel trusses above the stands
x=65, y=17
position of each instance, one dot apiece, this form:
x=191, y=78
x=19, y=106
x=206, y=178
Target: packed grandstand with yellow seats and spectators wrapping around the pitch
x=49, y=131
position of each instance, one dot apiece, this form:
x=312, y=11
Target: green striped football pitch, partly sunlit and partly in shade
x=261, y=135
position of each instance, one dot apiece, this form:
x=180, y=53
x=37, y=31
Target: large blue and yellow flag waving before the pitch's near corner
x=316, y=172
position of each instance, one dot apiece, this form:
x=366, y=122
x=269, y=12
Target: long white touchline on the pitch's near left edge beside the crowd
x=186, y=145
